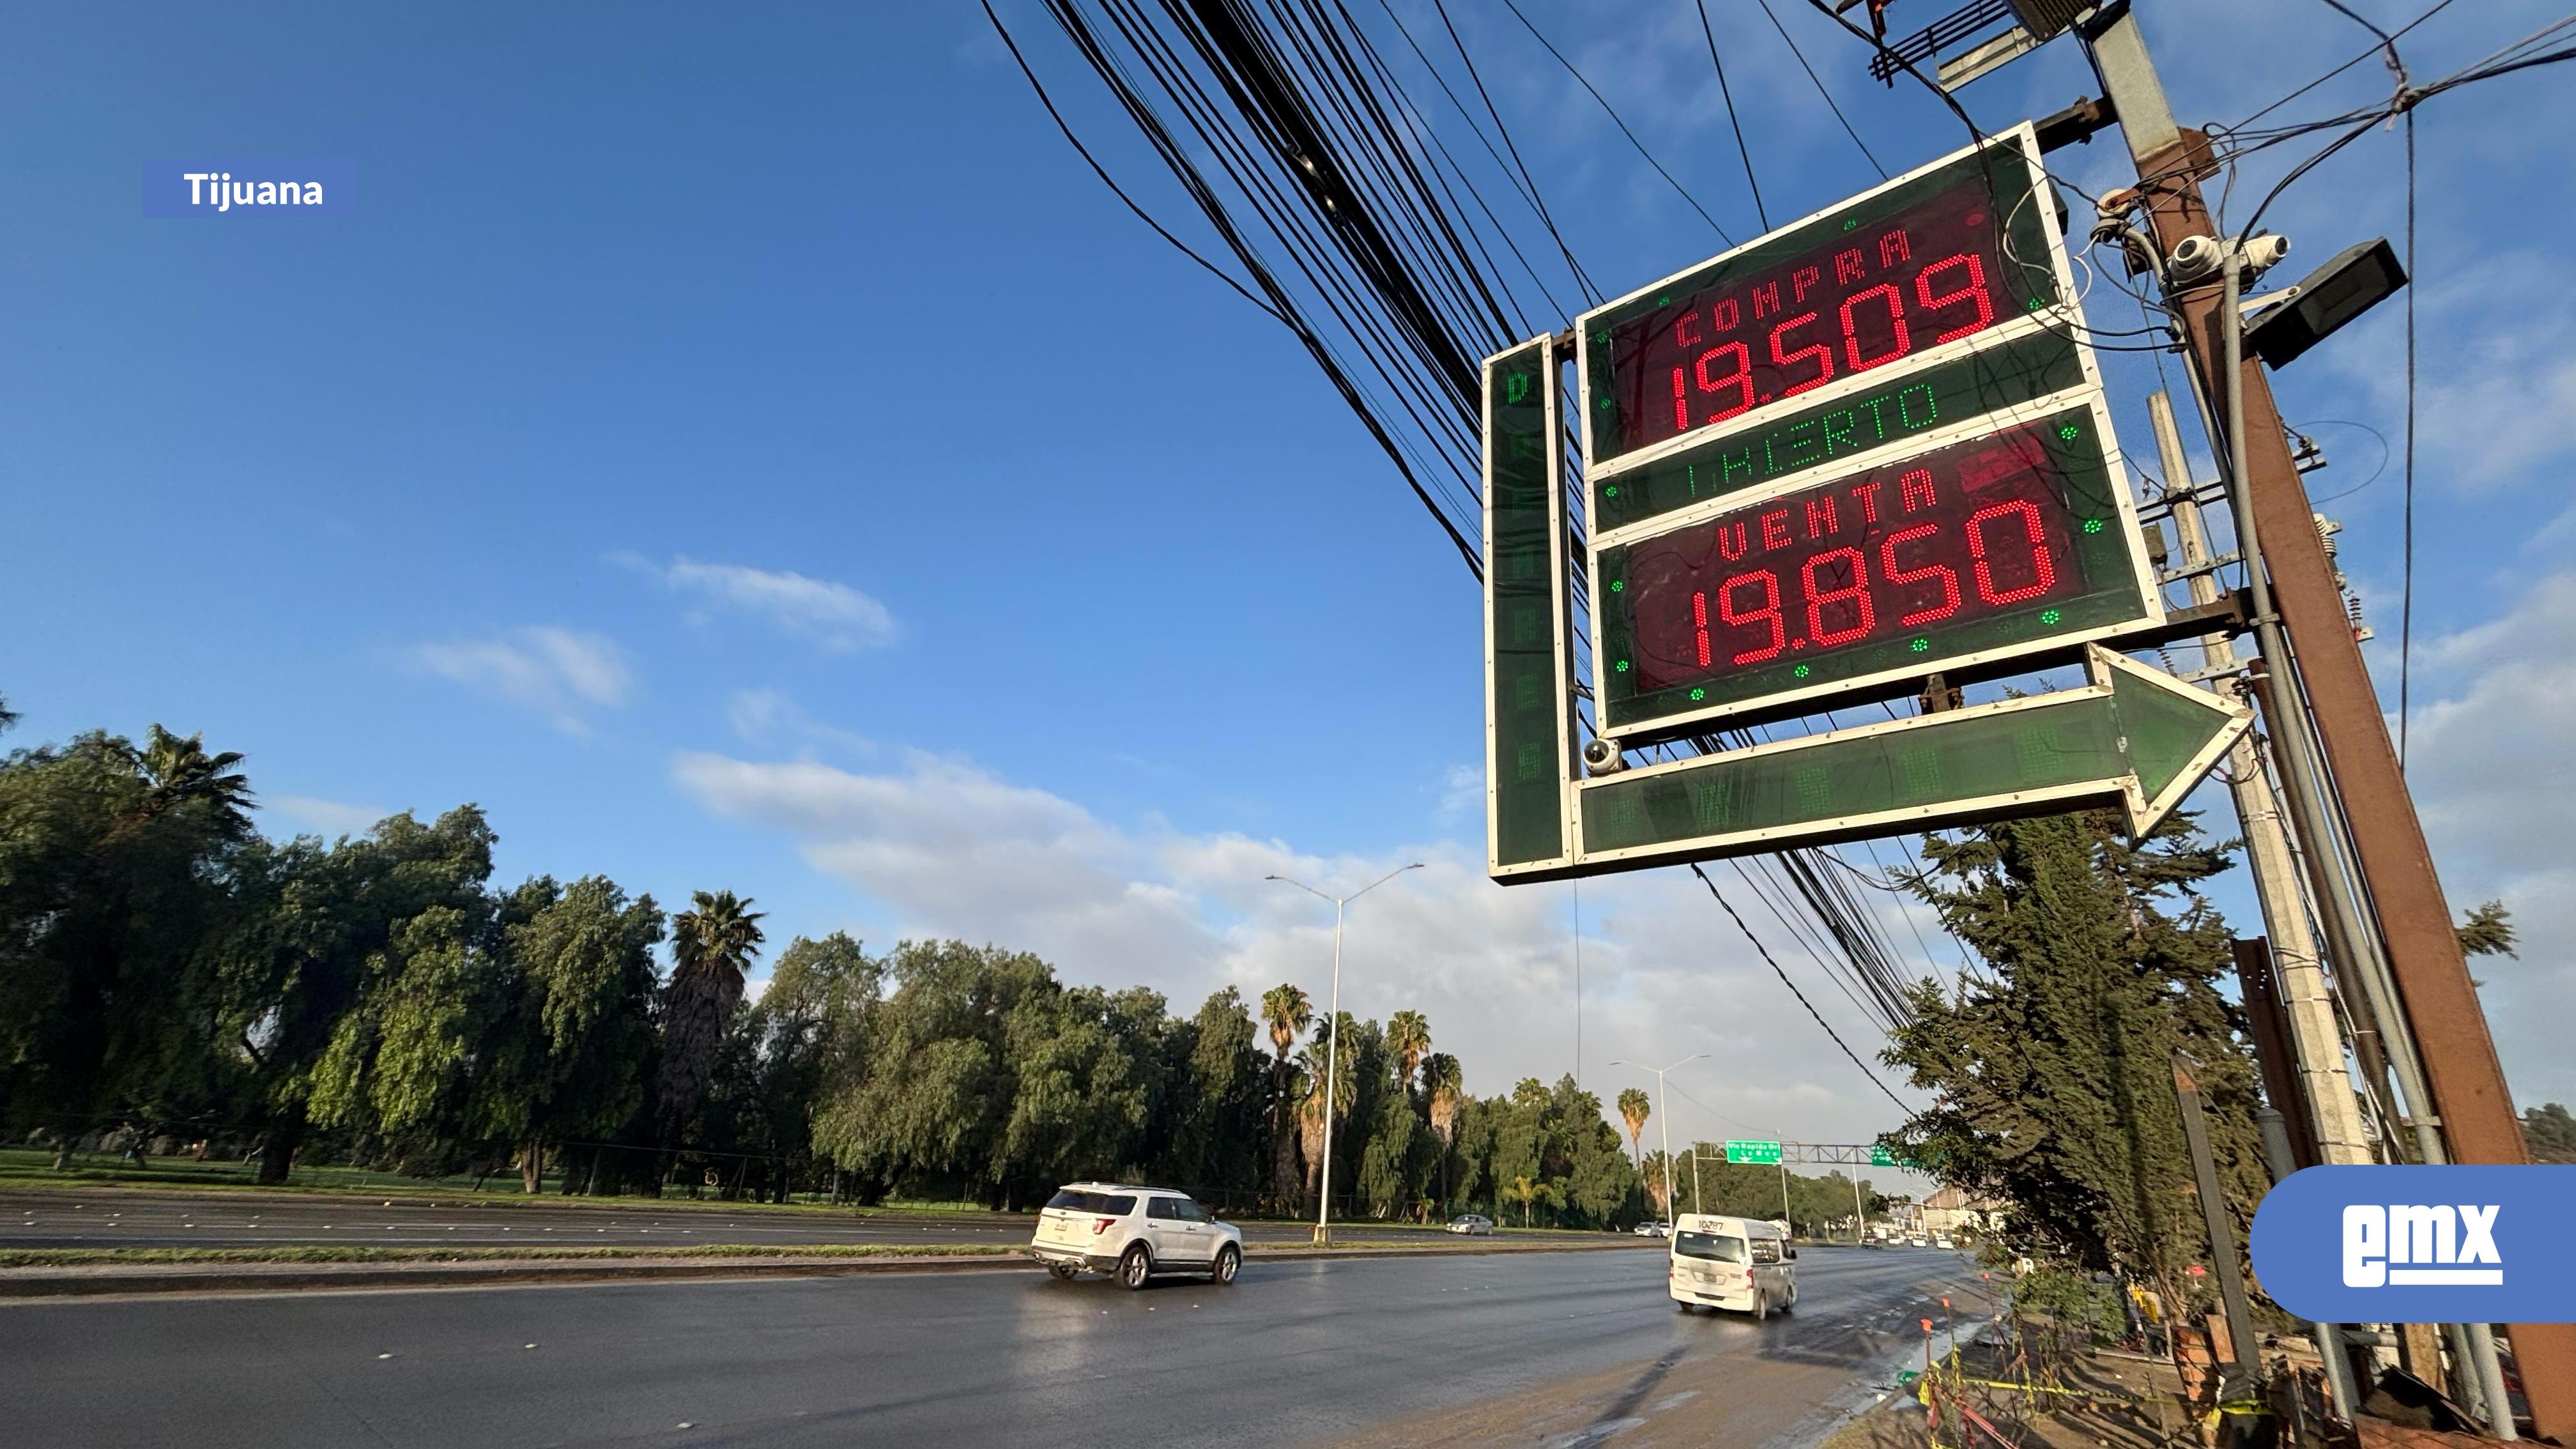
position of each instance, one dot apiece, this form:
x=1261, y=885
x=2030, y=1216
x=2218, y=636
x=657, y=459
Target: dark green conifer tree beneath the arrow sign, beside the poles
x=2052, y=1082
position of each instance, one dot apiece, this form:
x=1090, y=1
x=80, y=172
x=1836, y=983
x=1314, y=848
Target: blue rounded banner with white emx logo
x=2420, y=1244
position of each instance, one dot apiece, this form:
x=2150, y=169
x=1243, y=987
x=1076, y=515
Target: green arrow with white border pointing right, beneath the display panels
x=2134, y=739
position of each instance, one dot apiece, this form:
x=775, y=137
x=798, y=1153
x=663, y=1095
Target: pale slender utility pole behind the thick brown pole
x=2315, y=1030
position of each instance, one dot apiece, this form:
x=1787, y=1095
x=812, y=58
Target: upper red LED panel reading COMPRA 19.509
x=1931, y=262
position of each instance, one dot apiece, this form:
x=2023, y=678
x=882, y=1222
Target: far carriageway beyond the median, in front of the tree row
x=269, y=1221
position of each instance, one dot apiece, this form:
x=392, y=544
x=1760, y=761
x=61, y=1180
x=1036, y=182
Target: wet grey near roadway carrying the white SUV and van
x=1462, y=1350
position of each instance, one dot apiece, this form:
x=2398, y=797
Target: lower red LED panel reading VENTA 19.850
x=1977, y=545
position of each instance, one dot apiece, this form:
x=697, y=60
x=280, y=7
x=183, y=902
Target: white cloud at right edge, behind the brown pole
x=2492, y=767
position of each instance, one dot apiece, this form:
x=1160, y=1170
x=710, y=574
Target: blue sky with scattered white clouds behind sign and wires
x=759, y=455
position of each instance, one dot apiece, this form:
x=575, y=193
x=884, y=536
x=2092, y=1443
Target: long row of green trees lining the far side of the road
x=187, y=1002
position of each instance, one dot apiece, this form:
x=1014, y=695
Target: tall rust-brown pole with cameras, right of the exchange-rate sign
x=2472, y=1107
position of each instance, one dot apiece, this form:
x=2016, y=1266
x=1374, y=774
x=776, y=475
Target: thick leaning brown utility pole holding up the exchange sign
x=2348, y=767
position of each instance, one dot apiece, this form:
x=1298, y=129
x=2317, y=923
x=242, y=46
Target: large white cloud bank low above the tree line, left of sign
x=949, y=850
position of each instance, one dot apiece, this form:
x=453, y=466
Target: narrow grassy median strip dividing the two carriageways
x=99, y=1272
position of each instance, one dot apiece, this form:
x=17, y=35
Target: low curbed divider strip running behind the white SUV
x=475, y=1275
